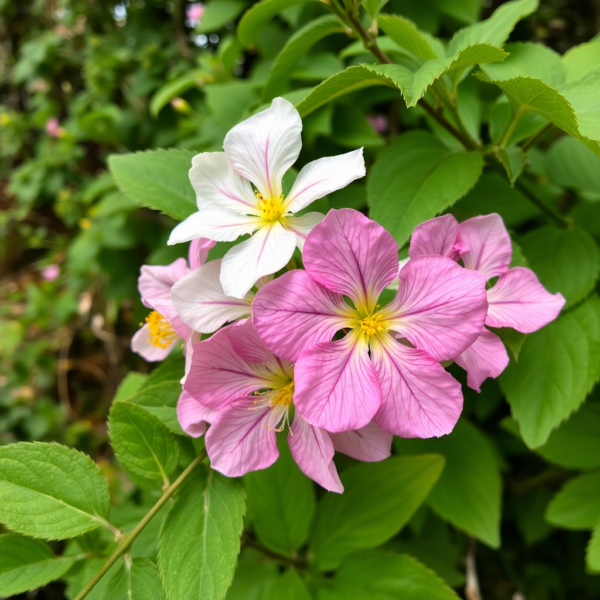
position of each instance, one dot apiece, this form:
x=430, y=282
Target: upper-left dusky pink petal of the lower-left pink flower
x=218, y=374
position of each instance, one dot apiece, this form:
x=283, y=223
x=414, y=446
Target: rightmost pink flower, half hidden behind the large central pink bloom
x=517, y=300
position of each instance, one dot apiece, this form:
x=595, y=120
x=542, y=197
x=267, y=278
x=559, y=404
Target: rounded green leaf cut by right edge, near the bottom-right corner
x=576, y=505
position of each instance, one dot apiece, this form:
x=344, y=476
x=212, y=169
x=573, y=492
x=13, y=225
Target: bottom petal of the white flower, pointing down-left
x=267, y=251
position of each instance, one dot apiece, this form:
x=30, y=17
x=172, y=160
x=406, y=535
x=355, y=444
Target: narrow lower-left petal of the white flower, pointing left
x=216, y=224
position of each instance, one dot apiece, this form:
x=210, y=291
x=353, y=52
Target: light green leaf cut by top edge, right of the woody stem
x=494, y=30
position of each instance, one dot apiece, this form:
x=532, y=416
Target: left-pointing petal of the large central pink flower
x=294, y=312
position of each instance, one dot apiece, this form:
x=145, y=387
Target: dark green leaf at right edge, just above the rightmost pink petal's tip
x=566, y=261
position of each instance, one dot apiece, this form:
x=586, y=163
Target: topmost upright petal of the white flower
x=263, y=147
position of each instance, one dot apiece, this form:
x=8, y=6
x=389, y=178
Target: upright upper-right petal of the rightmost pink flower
x=490, y=248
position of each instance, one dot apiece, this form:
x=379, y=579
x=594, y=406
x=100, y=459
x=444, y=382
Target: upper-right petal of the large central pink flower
x=440, y=307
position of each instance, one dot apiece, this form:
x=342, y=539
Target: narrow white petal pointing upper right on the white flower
x=323, y=176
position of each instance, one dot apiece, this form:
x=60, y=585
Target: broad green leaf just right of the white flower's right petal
x=438, y=178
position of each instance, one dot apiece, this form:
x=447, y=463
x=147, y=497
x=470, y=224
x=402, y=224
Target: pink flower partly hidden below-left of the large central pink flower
x=253, y=390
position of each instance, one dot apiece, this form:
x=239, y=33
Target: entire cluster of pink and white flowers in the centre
x=315, y=351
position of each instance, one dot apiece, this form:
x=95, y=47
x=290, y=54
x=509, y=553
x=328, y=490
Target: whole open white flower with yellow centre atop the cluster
x=258, y=152
